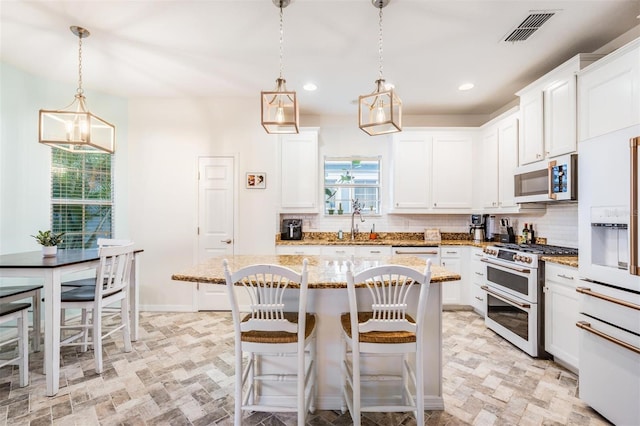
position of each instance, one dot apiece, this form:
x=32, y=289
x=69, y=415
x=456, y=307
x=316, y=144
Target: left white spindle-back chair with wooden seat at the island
x=270, y=328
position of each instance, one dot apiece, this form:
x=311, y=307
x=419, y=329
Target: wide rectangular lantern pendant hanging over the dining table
x=73, y=128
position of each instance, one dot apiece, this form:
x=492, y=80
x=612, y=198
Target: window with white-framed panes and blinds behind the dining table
x=81, y=197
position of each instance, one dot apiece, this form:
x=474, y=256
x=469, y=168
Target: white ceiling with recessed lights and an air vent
x=217, y=48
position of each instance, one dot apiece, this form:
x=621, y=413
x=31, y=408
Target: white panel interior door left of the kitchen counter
x=216, y=181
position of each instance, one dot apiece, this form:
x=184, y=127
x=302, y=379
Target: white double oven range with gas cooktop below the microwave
x=514, y=287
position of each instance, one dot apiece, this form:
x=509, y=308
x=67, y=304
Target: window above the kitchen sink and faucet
x=348, y=179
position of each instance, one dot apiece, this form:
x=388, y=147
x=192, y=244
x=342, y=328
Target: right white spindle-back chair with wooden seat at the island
x=378, y=325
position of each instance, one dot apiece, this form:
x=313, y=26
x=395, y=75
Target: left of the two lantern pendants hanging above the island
x=280, y=106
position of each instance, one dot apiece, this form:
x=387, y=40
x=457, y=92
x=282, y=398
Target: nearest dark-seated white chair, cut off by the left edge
x=18, y=312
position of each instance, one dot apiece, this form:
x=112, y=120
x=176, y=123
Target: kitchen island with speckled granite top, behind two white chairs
x=328, y=299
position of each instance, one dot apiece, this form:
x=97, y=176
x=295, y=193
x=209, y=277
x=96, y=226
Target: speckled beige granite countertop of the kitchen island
x=324, y=271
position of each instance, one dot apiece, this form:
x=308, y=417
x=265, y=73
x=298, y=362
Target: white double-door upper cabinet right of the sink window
x=432, y=171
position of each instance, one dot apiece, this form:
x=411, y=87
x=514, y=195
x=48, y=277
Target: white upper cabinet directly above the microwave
x=548, y=112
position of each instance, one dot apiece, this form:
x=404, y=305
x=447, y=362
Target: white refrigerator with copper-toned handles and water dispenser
x=609, y=299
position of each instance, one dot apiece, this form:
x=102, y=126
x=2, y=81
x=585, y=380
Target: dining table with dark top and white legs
x=50, y=270
